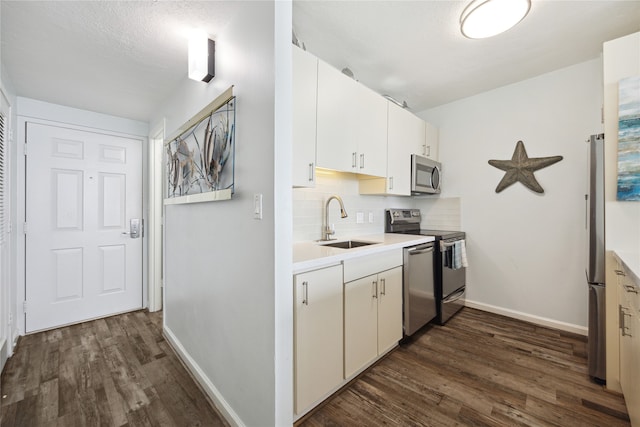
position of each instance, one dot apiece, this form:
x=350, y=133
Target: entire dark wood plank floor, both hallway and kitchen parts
x=478, y=370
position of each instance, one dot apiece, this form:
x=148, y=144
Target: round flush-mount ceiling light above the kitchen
x=486, y=18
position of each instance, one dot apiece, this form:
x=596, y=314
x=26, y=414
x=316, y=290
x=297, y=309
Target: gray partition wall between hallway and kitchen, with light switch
x=220, y=263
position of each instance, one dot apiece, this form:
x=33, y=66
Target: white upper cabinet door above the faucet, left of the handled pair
x=336, y=139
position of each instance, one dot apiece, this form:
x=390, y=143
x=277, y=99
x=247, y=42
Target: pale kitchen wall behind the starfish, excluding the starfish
x=526, y=250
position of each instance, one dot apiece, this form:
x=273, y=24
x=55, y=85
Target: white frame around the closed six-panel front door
x=95, y=124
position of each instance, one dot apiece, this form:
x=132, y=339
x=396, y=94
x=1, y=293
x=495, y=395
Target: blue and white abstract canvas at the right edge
x=629, y=139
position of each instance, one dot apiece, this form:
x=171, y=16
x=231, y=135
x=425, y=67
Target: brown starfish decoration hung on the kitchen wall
x=521, y=168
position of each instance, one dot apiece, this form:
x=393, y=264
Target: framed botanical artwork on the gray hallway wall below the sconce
x=200, y=156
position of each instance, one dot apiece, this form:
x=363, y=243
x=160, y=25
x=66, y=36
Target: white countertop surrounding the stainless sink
x=313, y=255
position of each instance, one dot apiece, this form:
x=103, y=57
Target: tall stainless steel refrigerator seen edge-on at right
x=595, y=262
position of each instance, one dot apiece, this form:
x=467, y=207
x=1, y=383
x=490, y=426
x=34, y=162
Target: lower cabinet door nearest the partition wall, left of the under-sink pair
x=318, y=330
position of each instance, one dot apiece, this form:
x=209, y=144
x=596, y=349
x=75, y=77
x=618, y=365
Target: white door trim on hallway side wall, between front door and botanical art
x=155, y=221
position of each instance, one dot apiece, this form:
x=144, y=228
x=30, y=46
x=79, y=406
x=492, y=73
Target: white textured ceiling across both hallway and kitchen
x=124, y=58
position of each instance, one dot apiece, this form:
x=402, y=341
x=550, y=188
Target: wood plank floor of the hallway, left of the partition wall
x=117, y=371
